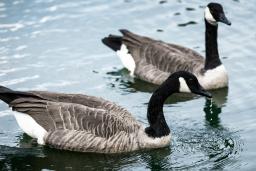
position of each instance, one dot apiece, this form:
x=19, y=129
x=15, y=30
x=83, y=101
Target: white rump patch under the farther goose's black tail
x=126, y=59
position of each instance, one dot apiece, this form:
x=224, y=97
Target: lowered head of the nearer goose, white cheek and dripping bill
x=187, y=82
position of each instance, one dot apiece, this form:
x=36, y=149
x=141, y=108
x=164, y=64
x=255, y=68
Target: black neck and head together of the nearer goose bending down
x=180, y=81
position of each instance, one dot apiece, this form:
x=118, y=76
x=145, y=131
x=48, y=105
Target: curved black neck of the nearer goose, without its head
x=157, y=124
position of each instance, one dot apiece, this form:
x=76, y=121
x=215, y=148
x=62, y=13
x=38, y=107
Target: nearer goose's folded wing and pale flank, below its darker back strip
x=77, y=127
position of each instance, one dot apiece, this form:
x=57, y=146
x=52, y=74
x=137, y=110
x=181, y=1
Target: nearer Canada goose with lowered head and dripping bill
x=90, y=124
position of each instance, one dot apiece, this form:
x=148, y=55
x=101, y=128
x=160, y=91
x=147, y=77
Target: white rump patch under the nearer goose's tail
x=31, y=127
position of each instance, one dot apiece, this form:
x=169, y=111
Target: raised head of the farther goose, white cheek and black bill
x=214, y=13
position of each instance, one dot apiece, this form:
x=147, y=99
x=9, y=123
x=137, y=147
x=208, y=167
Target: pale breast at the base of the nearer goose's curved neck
x=149, y=142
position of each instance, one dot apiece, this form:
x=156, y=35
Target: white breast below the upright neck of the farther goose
x=214, y=78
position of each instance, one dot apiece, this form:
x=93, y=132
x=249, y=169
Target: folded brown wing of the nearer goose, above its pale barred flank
x=53, y=115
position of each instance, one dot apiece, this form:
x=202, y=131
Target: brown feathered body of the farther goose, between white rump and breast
x=156, y=60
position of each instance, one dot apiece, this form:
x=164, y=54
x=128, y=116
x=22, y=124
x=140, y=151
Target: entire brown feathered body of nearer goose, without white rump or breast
x=79, y=122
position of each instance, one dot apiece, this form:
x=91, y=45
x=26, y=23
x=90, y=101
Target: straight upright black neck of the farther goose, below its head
x=211, y=45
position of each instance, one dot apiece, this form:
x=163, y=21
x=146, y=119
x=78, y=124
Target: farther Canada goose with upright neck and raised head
x=152, y=60
